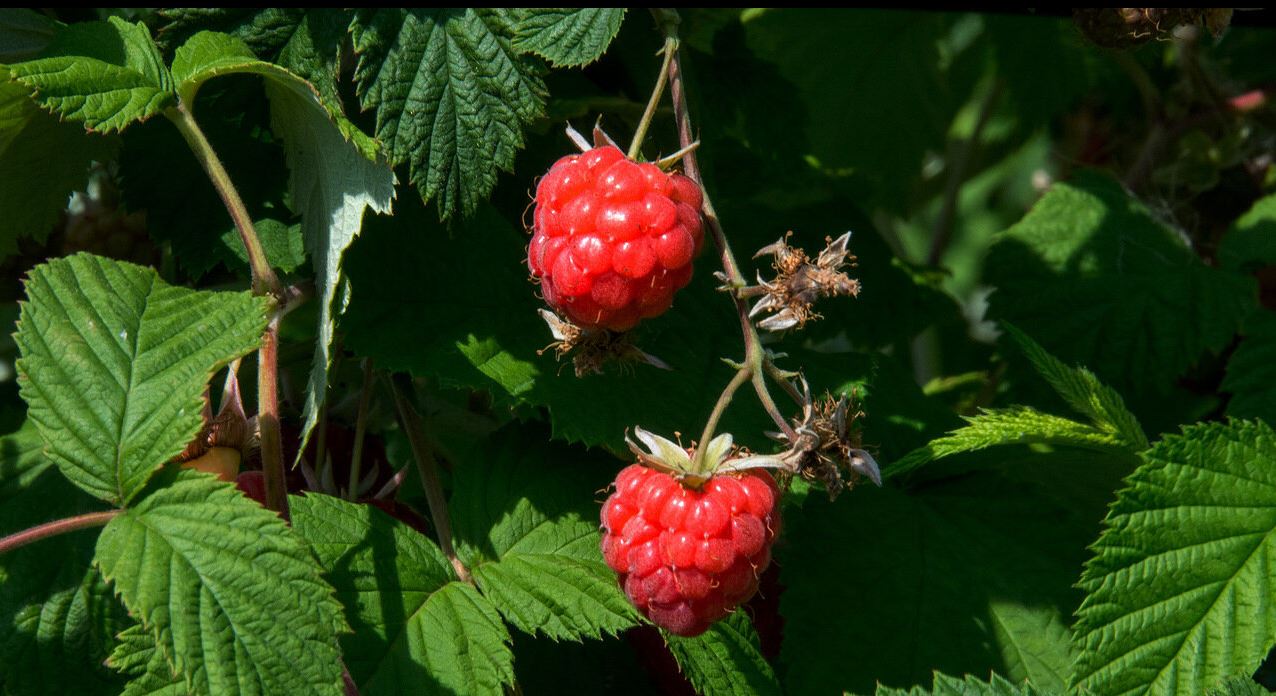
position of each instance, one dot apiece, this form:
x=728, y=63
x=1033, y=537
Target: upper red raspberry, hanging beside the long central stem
x=613, y=239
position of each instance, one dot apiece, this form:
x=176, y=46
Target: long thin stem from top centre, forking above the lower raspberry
x=756, y=361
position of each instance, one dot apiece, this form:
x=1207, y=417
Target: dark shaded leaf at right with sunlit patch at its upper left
x=1099, y=282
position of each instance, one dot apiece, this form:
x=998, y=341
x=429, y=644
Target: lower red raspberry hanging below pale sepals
x=687, y=557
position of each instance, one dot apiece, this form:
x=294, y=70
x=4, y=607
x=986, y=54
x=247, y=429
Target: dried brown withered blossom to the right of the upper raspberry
x=801, y=283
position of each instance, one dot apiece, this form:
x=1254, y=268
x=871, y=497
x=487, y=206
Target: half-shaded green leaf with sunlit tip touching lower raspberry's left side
x=528, y=528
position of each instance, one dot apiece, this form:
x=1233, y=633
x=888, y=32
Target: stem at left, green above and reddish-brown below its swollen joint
x=265, y=283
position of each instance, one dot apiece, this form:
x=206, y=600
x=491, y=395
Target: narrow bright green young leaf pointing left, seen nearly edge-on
x=1014, y=426
